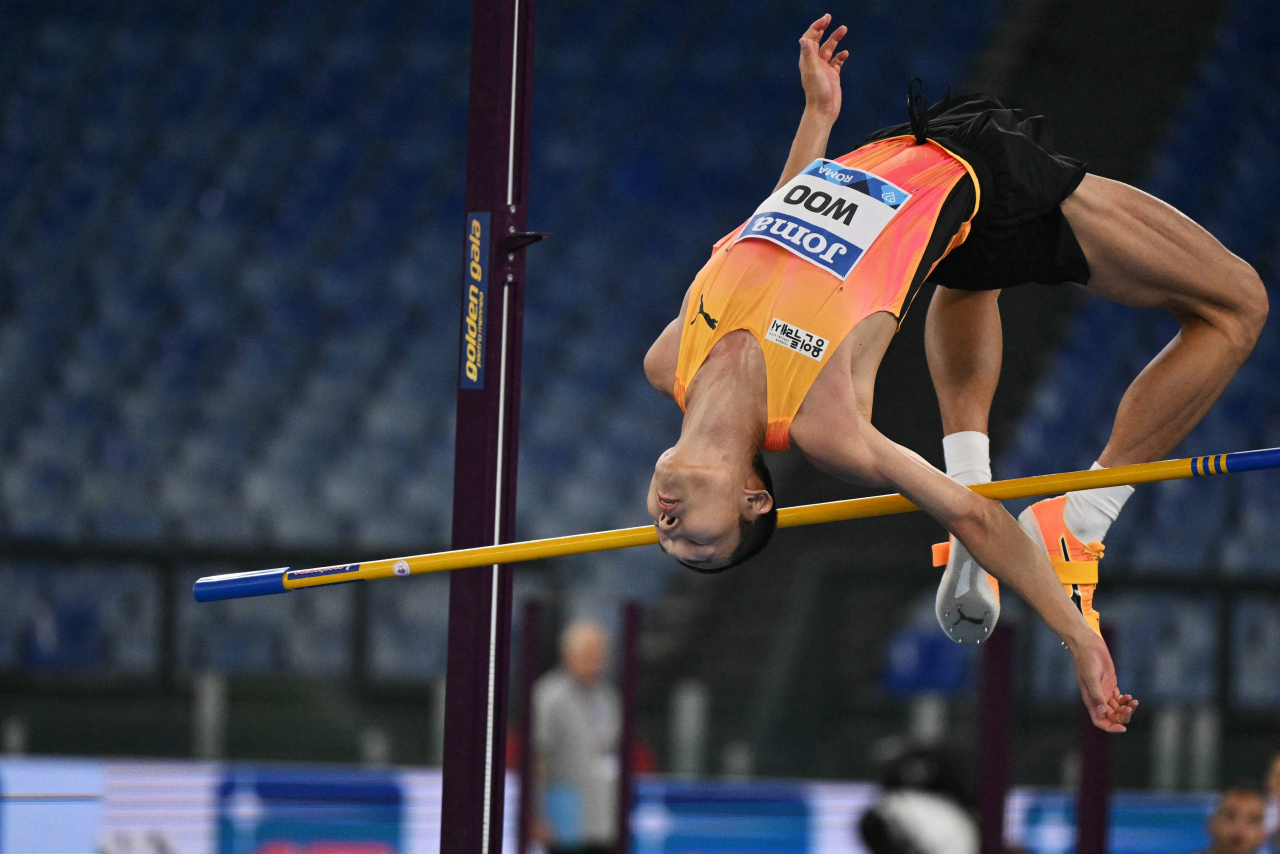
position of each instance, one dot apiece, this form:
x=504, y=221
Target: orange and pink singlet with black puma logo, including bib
x=835, y=245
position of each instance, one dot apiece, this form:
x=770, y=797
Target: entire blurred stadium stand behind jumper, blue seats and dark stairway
x=230, y=273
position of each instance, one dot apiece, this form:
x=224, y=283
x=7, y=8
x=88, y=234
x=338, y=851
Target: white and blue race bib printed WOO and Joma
x=829, y=216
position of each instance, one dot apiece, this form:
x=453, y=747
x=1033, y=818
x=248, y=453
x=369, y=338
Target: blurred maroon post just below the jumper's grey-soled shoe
x=998, y=715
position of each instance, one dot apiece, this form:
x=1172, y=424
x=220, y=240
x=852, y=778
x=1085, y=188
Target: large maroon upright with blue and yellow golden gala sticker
x=488, y=419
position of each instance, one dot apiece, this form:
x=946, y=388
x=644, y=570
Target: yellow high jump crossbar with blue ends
x=239, y=586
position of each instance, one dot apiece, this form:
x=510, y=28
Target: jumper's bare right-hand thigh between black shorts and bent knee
x=1145, y=253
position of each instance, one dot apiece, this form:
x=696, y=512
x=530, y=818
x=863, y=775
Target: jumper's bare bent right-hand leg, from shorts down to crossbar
x=1144, y=253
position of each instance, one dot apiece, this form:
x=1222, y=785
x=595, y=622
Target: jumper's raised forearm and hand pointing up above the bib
x=820, y=74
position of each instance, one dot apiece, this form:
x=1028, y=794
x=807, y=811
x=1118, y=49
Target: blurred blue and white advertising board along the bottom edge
x=164, y=807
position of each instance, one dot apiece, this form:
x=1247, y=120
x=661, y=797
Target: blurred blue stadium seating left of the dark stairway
x=228, y=275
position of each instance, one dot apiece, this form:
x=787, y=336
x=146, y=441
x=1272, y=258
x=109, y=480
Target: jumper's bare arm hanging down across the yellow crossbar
x=854, y=450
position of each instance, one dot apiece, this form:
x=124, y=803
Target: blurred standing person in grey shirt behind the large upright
x=578, y=721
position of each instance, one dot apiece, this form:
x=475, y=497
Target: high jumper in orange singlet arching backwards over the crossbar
x=781, y=335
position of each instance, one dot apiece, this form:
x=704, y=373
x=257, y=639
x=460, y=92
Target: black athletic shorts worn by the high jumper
x=1020, y=235
